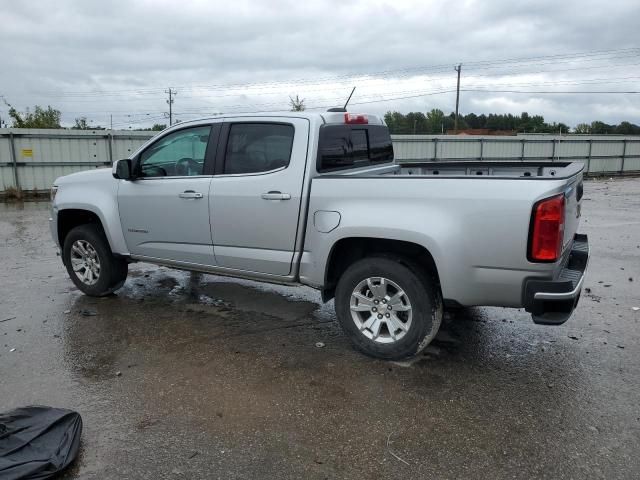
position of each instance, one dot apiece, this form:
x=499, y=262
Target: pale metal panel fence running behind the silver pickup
x=31, y=159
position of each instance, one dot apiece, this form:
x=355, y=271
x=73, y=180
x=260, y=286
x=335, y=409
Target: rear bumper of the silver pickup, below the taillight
x=551, y=302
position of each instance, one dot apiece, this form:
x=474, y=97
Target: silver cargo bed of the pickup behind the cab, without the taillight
x=477, y=230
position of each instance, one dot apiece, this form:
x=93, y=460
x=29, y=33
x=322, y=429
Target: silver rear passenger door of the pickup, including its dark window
x=255, y=195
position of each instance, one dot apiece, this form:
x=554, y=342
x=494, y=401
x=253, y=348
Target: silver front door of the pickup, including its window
x=165, y=211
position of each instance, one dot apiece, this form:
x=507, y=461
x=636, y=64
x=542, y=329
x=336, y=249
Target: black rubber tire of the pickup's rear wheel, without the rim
x=421, y=291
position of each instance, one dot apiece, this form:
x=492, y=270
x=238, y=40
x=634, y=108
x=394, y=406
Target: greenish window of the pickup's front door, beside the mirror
x=179, y=154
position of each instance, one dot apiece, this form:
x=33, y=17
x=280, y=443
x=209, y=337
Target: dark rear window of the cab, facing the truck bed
x=349, y=146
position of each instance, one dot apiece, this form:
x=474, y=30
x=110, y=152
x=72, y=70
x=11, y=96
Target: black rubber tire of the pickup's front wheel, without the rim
x=112, y=272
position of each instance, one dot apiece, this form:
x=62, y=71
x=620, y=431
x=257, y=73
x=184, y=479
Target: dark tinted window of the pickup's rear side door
x=258, y=147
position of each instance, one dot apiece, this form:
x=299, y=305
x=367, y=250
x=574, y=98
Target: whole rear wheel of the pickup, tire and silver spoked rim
x=389, y=310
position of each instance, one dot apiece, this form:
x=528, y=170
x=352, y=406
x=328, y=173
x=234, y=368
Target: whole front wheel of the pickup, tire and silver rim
x=90, y=262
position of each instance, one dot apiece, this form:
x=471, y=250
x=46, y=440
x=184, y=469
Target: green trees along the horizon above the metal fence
x=433, y=122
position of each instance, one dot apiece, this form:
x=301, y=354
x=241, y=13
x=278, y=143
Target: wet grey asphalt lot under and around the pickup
x=195, y=376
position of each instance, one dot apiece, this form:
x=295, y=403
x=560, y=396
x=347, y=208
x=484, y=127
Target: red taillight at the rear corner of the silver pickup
x=547, y=230
